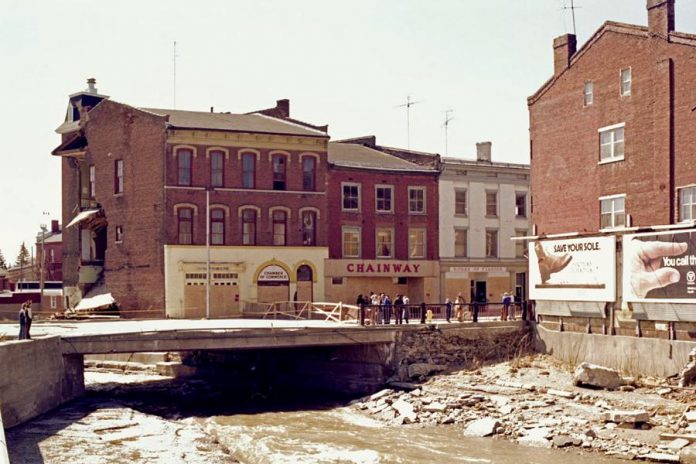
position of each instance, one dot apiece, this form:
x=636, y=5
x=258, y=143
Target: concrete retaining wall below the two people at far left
x=37, y=378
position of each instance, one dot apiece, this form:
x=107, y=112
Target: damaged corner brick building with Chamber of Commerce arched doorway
x=160, y=203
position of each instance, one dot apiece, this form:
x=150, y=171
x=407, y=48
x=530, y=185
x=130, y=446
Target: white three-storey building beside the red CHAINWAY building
x=482, y=205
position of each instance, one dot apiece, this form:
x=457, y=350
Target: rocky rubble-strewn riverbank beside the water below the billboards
x=532, y=400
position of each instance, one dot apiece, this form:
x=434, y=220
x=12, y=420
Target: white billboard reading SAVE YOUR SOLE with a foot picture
x=580, y=269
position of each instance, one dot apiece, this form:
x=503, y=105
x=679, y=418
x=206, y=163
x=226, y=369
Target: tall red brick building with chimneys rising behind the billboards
x=612, y=131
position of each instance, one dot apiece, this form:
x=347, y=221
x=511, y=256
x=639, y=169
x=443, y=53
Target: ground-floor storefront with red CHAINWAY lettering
x=347, y=278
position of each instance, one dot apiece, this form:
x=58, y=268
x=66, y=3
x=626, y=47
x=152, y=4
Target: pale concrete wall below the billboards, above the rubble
x=631, y=355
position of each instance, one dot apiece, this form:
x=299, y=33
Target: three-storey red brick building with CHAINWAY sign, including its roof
x=382, y=224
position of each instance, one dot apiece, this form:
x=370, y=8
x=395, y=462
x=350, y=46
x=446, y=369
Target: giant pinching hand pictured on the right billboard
x=644, y=264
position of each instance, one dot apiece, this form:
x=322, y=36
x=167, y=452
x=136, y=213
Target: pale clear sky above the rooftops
x=347, y=64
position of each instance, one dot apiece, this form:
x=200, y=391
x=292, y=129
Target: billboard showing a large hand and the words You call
x=660, y=267
